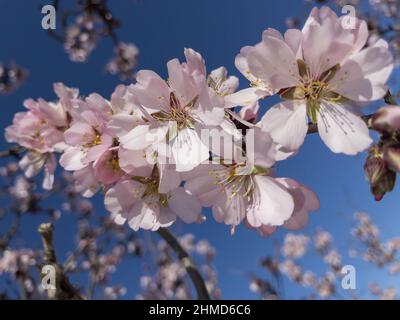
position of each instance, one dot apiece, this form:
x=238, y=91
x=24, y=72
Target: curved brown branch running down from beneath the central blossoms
x=183, y=256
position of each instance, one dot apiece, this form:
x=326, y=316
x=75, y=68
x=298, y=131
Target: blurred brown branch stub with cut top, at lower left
x=64, y=290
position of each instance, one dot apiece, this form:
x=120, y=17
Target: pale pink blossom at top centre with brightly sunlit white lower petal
x=178, y=109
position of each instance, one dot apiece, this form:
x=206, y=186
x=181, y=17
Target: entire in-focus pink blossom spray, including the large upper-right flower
x=164, y=148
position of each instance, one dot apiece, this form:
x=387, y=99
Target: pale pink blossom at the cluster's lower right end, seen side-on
x=246, y=189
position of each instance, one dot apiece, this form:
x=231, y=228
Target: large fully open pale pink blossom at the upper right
x=323, y=74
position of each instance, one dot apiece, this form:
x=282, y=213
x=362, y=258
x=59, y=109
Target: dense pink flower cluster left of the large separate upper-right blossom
x=146, y=148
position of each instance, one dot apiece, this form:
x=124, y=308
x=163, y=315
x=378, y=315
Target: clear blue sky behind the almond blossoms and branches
x=217, y=29
